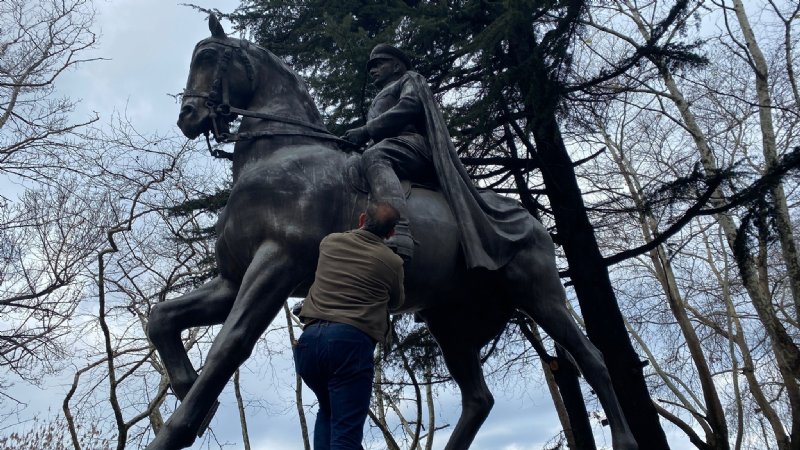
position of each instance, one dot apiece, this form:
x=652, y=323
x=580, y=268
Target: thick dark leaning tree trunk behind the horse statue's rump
x=604, y=324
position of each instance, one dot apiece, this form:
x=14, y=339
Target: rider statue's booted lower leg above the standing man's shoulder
x=385, y=186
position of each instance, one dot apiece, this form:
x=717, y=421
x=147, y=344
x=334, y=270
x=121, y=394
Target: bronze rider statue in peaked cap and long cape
x=410, y=140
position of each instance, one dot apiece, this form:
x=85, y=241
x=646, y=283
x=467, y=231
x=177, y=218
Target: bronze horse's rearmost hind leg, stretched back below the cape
x=536, y=290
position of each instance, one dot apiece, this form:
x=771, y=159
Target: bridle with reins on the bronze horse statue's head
x=217, y=100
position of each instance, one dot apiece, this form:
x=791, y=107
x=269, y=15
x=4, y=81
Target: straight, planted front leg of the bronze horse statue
x=267, y=283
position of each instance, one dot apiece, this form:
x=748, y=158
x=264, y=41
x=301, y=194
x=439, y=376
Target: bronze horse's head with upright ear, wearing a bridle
x=221, y=75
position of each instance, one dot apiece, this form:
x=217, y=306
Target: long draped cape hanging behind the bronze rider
x=493, y=228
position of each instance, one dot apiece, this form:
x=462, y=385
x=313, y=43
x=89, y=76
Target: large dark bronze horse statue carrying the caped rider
x=290, y=189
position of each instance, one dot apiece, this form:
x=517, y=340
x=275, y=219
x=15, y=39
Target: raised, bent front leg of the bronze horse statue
x=207, y=305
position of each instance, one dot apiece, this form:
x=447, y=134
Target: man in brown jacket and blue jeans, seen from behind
x=346, y=313
